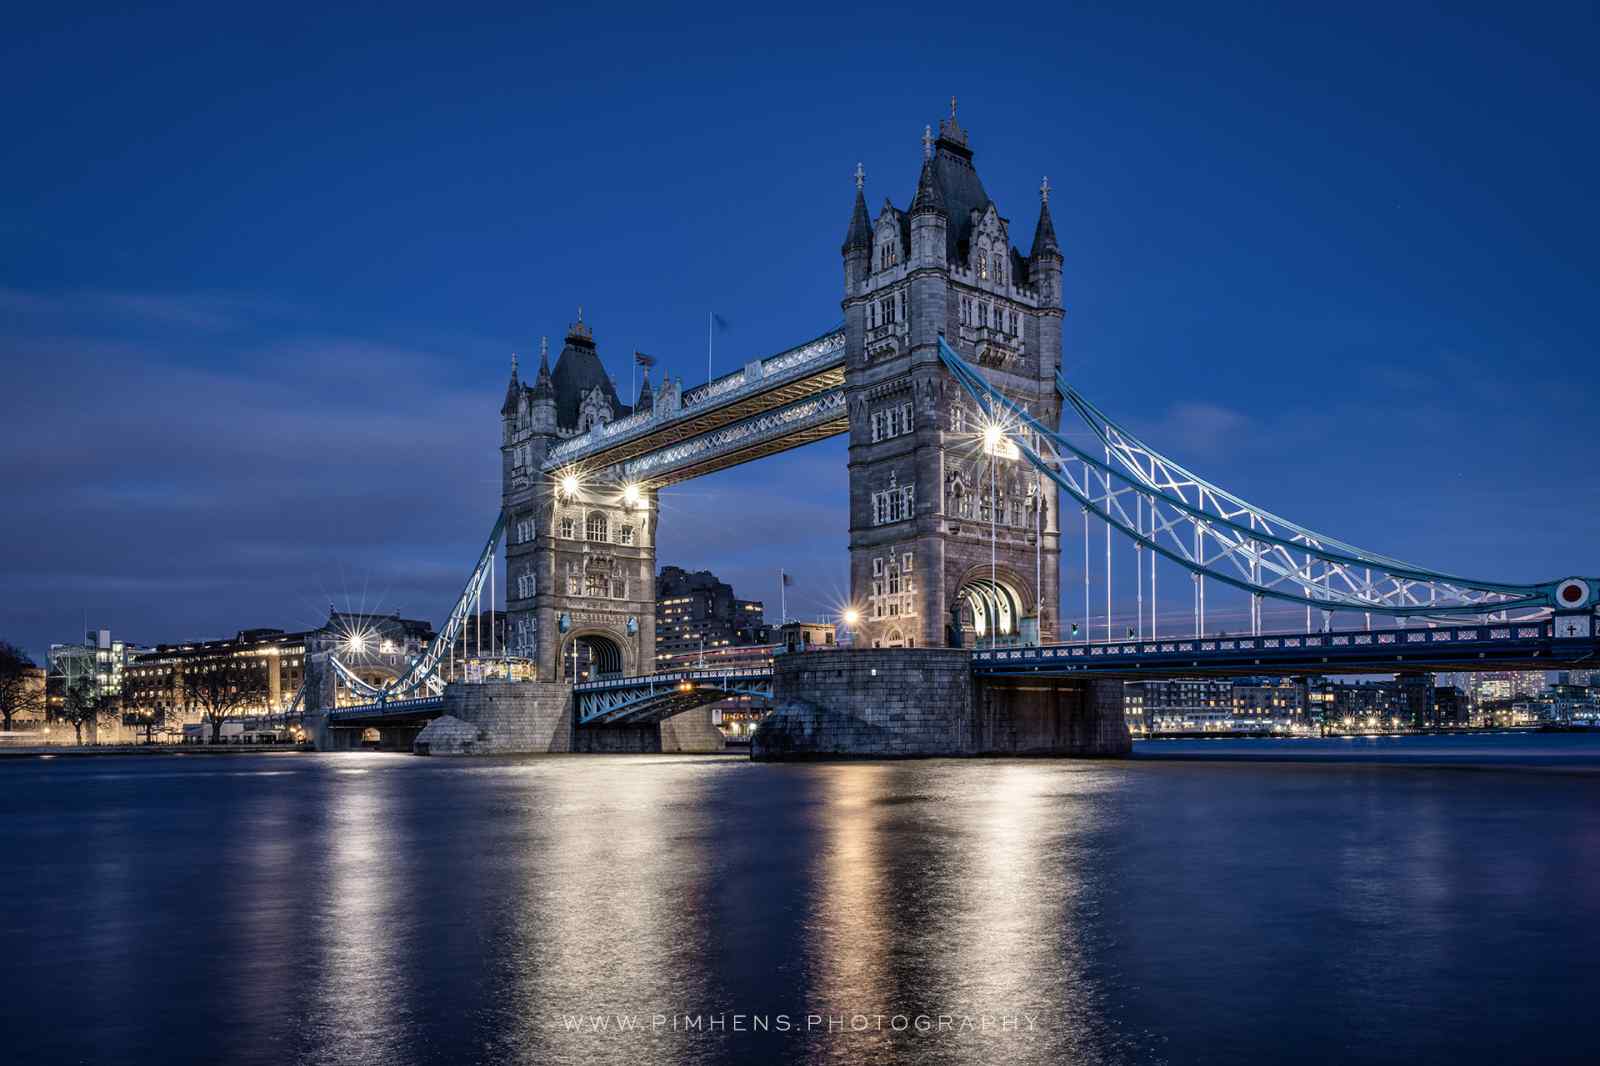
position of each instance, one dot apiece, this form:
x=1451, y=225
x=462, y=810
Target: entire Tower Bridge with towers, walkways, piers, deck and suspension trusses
x=946, y=375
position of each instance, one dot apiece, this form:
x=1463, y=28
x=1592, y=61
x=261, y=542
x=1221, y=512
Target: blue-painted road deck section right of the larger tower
x=1486, y=646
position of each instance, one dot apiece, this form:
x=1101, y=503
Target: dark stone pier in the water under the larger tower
x=876, y=703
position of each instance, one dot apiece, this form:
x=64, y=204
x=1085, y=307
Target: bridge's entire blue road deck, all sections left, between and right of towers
x=1476, y=647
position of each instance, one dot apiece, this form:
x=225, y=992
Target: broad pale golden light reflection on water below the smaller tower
x=612, y=905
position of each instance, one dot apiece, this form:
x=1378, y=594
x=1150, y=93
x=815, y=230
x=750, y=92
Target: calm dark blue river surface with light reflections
x=1420, y=900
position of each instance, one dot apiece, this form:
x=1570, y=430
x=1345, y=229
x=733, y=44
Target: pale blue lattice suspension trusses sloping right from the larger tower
x=1215, y=535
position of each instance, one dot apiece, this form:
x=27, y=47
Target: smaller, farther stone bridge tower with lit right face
x=580, y=547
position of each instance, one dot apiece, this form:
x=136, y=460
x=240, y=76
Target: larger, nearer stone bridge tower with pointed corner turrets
x=919, y=473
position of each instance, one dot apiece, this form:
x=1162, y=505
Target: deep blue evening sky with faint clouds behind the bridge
x=263, y=273
